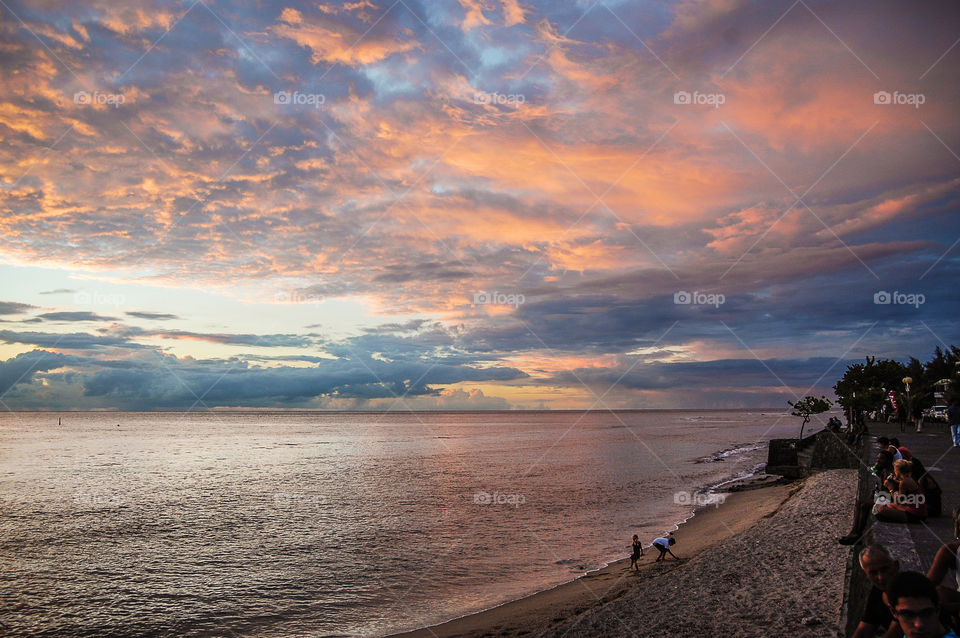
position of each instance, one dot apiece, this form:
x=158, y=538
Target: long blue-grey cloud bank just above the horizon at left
x=149, y=379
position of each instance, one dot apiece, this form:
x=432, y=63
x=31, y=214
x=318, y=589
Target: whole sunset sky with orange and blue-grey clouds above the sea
x=471, y=204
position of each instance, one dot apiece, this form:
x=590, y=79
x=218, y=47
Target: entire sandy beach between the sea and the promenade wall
x=734, y=557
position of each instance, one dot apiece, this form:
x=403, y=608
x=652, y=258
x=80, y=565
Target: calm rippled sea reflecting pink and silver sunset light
x=319, y=524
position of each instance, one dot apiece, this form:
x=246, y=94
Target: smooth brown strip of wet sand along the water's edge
x=745, y=502
